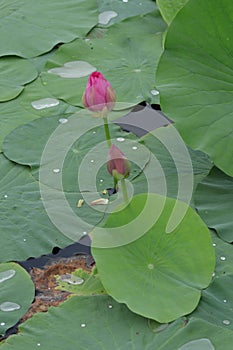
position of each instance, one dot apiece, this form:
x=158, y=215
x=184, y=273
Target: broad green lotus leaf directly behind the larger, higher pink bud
x=128, y=61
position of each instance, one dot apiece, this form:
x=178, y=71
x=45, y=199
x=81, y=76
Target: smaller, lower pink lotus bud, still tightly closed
x=117, y=164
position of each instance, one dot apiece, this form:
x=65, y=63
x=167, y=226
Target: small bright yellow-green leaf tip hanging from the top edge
x=169, y=8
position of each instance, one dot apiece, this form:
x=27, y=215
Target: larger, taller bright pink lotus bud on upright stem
x=99, y=94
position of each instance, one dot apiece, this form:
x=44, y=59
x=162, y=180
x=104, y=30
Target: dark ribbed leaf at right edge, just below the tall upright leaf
x=214, y=202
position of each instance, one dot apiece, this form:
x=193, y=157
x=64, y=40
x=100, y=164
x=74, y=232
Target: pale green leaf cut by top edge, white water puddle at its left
x=117, y=11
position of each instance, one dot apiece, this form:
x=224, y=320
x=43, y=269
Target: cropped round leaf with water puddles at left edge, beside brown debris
x=17, y=293
